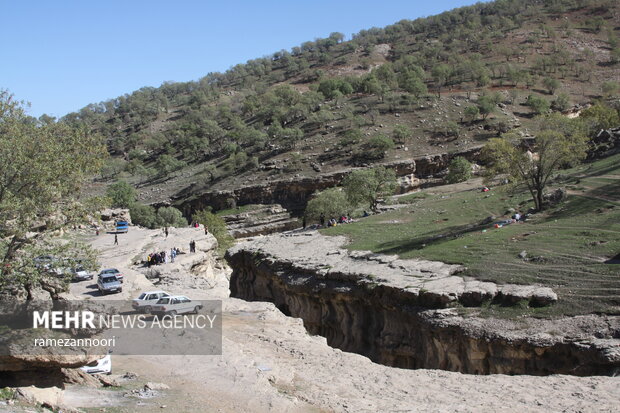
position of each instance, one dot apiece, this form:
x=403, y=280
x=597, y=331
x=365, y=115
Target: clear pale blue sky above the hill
x=62, y=55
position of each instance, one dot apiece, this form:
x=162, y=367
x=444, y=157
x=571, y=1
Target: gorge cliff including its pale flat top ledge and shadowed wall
x=396, y=311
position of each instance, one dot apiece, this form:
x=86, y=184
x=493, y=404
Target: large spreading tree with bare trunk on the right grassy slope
x=552, y=150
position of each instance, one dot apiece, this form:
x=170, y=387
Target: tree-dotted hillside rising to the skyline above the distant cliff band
x=436, y=85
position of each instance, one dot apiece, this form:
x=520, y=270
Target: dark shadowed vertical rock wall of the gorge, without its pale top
x=390, y=326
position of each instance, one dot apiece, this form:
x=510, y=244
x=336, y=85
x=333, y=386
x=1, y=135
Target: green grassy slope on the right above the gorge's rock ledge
x=566, y=246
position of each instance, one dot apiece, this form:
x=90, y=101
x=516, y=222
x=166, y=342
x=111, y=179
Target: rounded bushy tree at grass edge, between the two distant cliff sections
x=367, y=186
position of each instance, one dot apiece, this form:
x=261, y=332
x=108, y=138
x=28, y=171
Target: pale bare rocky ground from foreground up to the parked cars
x=270, y=364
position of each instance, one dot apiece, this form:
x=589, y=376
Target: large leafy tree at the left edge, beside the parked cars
x=42, y=170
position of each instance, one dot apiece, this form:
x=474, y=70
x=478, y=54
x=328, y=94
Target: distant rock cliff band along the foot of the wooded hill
x=294, y=193
